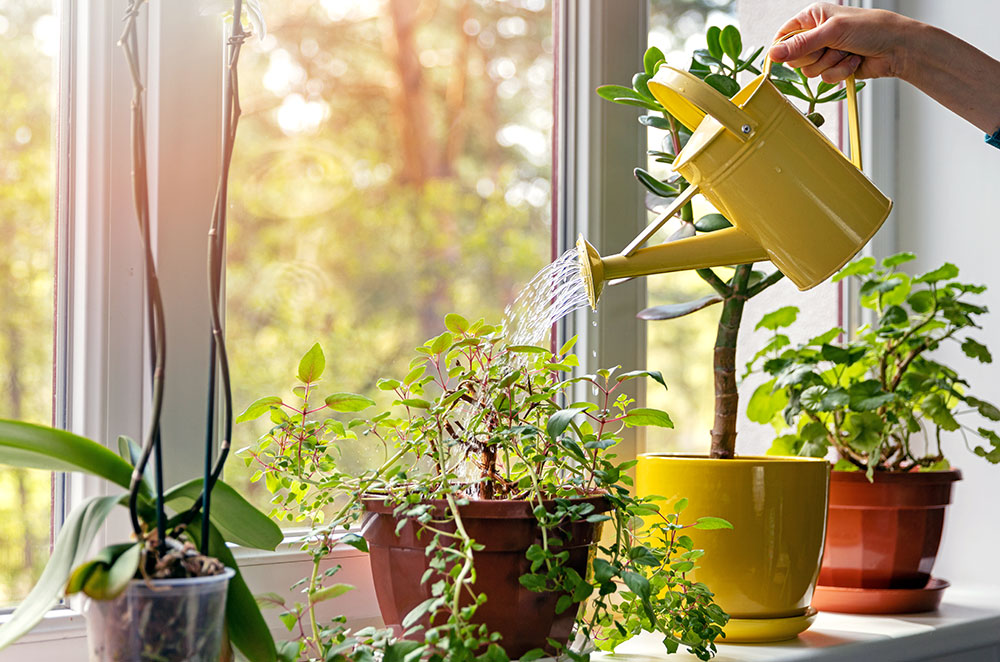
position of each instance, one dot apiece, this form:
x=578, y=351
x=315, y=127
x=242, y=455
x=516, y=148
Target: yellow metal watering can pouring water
x=791, y=195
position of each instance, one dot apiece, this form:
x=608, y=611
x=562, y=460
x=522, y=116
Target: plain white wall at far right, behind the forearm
x=948, y=206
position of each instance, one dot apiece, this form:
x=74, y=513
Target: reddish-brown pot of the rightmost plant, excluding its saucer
x=884, y=534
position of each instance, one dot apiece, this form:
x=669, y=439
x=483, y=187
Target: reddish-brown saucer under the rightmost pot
x=880, y=600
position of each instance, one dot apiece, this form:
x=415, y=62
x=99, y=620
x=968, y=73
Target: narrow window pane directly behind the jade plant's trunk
x=682, y=348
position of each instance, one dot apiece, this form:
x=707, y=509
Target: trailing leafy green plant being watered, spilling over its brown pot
x=476, y=419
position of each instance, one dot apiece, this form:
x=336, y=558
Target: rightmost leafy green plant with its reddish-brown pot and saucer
x=881, y=402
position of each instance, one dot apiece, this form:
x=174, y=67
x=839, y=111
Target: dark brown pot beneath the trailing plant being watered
x=506, y=529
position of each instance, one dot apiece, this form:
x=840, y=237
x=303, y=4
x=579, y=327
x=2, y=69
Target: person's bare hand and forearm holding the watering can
x=873, y=43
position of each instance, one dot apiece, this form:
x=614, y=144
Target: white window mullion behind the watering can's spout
x=600, y=145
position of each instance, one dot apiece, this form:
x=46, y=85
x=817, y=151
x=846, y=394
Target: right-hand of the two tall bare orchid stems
x=218, y=359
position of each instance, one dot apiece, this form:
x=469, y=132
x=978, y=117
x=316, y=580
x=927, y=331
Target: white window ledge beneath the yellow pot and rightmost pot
x=965, y=629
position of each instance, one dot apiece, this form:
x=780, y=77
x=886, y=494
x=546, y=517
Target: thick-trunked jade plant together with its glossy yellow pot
x=764, y=573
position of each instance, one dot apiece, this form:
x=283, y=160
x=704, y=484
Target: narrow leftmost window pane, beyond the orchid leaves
x=28, y=44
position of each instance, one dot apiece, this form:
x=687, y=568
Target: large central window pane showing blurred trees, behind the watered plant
x=393, y=165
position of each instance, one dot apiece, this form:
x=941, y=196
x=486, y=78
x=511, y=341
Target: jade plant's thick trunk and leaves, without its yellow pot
x=719, y=65
